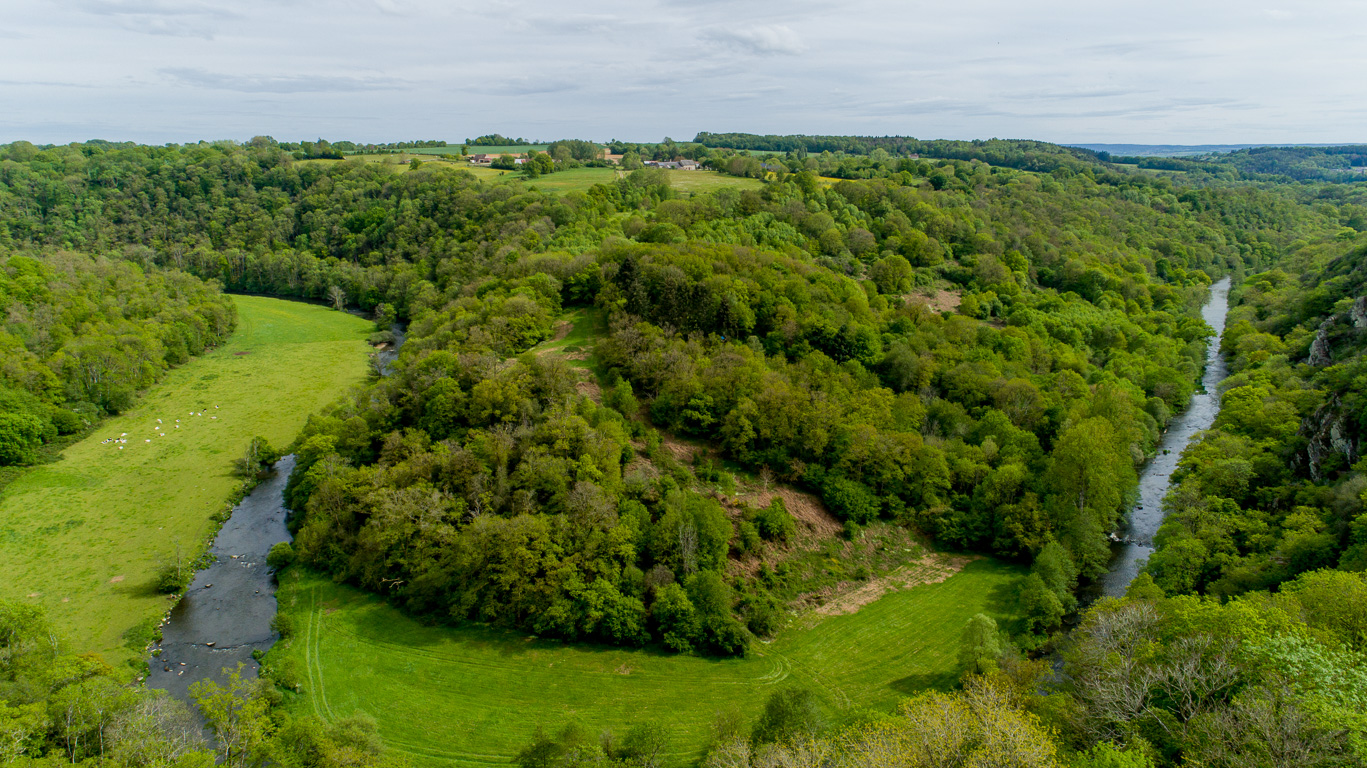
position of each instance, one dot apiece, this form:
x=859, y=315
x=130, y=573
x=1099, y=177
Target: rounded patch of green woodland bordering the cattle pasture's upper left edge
x=81, y=335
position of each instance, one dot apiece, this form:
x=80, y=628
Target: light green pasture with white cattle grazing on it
x=84, y=536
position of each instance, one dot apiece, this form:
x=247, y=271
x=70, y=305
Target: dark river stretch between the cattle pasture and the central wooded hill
x=226, y=613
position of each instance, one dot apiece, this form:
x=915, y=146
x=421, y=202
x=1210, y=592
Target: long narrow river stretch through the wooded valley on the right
x=1143, y=521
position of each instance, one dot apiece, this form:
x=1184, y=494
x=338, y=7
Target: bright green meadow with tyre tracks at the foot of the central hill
x=474, y=695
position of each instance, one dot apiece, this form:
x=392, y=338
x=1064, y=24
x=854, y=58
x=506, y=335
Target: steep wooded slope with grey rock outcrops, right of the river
x=1276, y=489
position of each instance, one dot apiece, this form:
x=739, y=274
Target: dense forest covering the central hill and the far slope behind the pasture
x=785, y=326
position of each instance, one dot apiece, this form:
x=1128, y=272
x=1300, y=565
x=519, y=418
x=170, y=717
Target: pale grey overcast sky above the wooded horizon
x=1159, y=72
